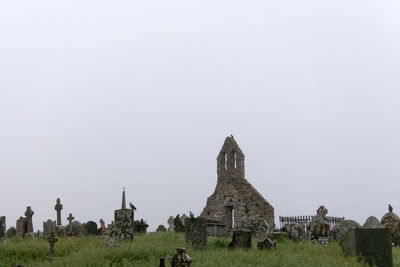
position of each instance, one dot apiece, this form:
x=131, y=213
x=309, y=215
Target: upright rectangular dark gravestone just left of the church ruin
x=196, y=232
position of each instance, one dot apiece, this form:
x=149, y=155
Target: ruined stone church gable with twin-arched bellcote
x=234, y=198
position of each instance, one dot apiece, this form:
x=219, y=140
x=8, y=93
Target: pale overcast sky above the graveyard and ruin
x=97, y=95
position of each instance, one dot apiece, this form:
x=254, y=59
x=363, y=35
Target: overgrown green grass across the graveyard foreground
x=146, y=250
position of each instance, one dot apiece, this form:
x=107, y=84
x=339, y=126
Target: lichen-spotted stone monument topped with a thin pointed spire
x=124, y=221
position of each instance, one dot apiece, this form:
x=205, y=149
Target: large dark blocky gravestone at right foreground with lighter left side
x=373, y=245
